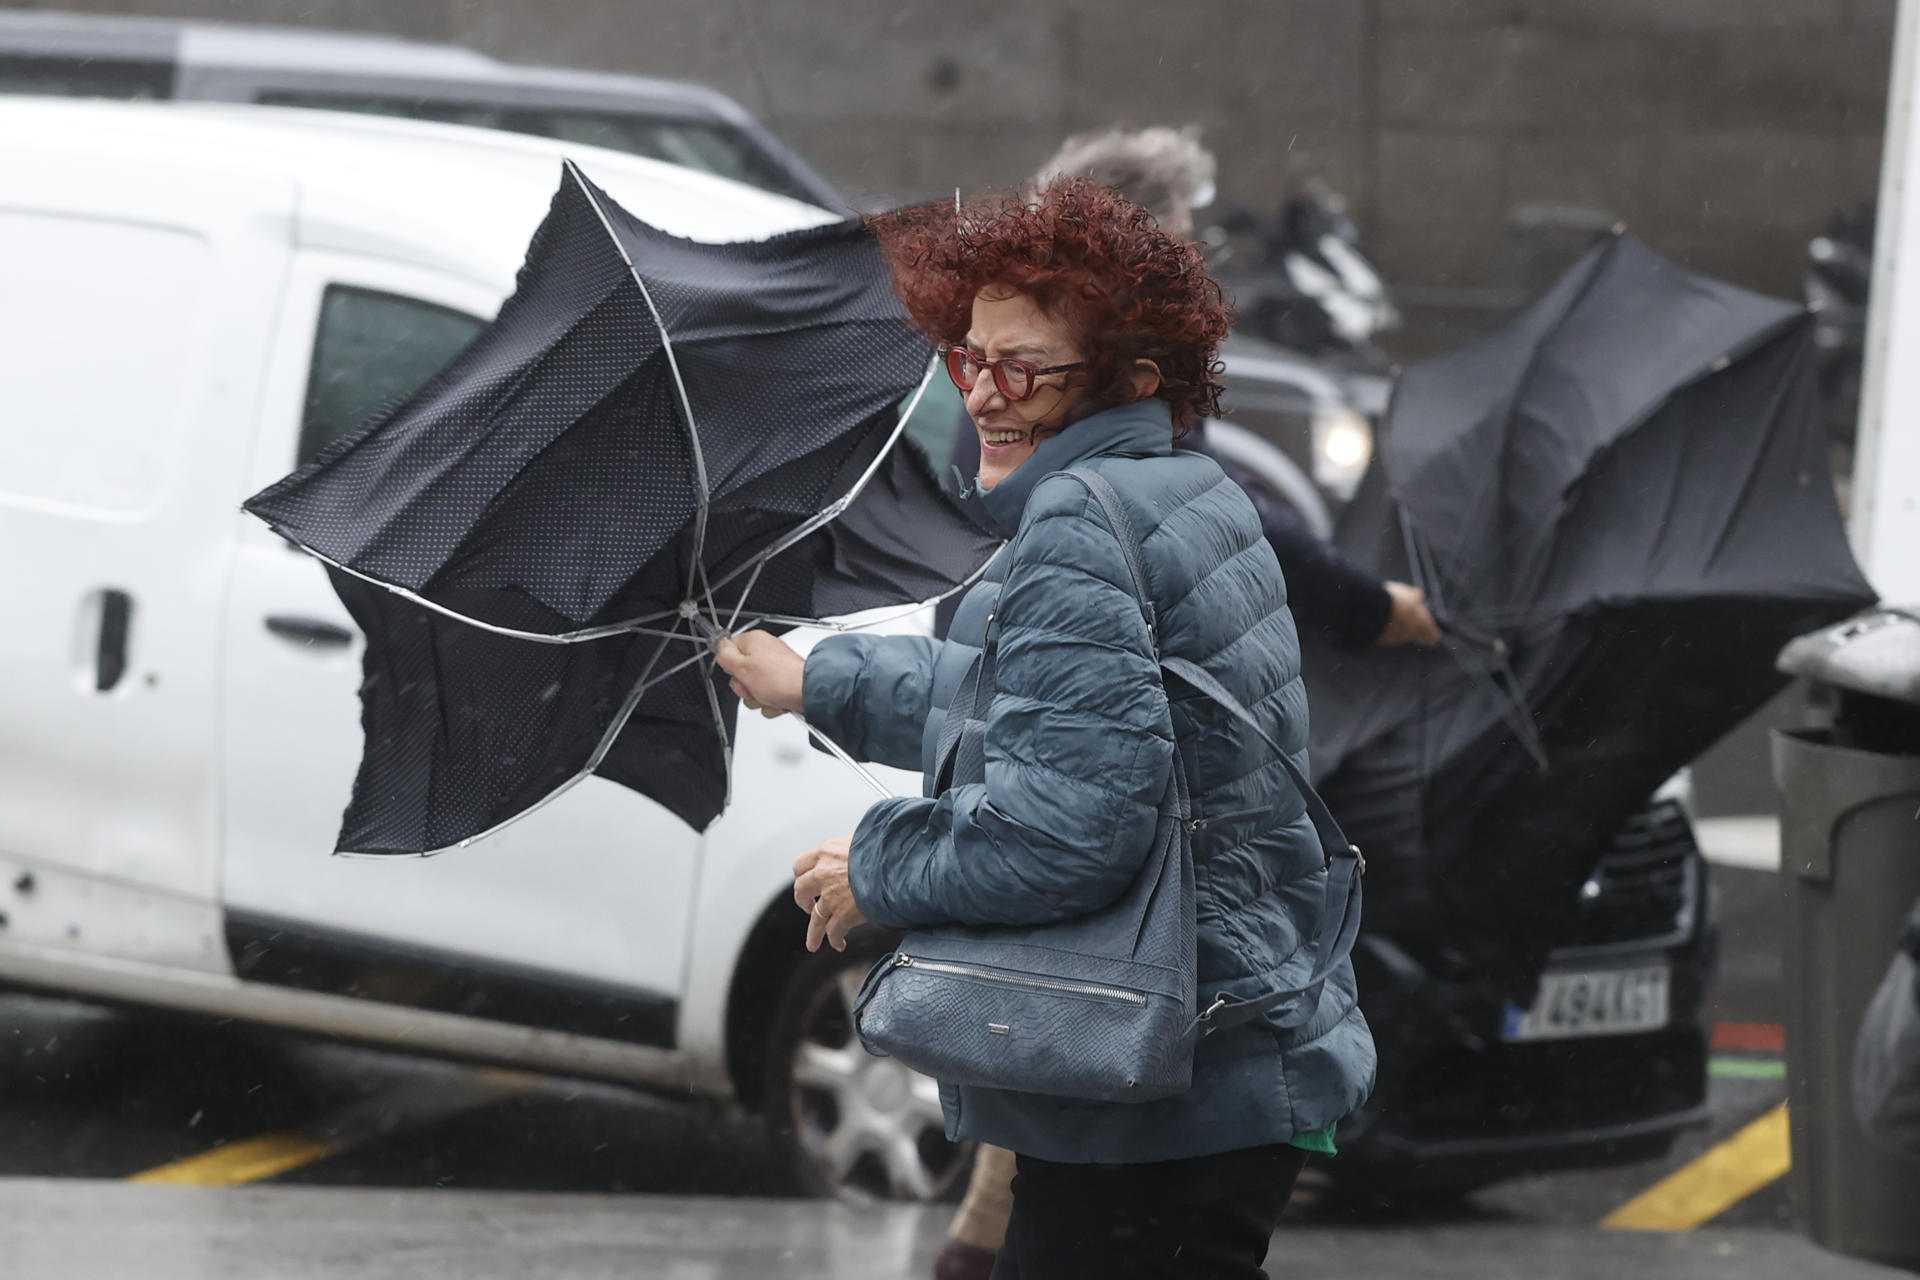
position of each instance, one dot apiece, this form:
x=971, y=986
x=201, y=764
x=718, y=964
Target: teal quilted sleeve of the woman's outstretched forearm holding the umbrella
x=871, y=694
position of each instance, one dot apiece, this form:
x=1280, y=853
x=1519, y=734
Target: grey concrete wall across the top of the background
x=1723, y=131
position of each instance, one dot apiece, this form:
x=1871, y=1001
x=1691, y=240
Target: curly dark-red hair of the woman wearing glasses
x=1088, y=256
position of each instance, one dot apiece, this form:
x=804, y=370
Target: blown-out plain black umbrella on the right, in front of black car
x=1620, y=506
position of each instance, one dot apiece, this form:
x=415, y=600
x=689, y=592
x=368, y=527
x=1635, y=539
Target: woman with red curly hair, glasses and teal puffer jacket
x=1084, y=339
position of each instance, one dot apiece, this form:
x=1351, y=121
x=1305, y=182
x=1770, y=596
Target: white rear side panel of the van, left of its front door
x=132, y=375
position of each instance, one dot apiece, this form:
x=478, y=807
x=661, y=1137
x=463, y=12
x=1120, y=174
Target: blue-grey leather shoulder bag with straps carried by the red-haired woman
x=1103, y=1007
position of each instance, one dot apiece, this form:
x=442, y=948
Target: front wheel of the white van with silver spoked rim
x=852, y=1126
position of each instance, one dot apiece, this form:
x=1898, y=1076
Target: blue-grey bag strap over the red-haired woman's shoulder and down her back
x=1345, y=865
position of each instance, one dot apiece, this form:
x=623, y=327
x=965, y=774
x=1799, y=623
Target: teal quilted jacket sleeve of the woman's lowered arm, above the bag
x=1080, y=749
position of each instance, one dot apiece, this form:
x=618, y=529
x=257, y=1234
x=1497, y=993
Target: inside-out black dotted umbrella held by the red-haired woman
x=658, y=440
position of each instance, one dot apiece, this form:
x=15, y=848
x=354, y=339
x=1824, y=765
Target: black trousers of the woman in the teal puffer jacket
x=1199, y=1218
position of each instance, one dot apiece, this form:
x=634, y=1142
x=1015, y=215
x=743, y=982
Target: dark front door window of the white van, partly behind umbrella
x=372, y=352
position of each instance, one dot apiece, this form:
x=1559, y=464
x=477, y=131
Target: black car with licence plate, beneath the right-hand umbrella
x=1606, y=1066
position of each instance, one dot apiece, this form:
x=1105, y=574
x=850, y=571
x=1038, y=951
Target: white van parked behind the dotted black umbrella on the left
x=193, y=298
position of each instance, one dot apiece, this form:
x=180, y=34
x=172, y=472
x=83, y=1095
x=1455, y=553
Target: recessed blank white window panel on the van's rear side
x=101, y=360
